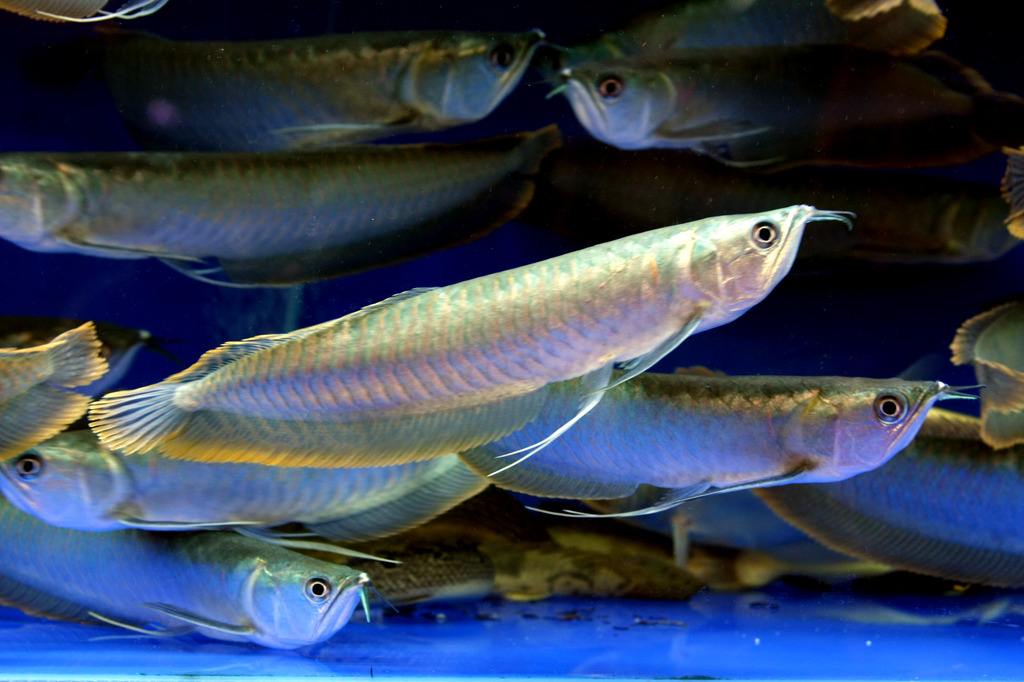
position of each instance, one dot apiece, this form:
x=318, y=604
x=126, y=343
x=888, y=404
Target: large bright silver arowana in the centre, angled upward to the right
x=435, y=372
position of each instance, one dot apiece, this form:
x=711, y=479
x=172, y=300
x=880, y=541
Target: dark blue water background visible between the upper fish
x=869, y=321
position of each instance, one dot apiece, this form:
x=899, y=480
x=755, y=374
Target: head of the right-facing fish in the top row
x=466, y=76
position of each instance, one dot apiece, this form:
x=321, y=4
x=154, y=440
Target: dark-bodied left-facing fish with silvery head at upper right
x=777, y=107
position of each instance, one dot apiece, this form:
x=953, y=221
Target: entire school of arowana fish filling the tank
x=262, y=493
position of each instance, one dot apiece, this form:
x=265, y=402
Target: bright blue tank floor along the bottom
x=770, y=635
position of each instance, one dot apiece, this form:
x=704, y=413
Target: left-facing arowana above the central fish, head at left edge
x=270, y=219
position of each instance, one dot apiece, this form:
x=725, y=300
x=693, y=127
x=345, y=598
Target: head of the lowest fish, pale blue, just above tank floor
x=294, y=601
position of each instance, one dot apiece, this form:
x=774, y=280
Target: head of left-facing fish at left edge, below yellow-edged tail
x=70, y=481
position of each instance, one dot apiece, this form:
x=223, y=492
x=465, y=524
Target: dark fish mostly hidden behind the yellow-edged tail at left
x=119, y=347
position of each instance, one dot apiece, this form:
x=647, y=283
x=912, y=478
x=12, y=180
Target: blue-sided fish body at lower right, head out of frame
x=948, y=506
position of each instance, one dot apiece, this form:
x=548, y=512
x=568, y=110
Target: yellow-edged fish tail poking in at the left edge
x=37, y=388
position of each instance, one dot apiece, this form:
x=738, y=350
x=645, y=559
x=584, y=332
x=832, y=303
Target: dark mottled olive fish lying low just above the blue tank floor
x=491, y=545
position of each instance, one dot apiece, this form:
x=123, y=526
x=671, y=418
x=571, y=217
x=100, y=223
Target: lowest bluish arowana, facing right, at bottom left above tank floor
x=221, y=585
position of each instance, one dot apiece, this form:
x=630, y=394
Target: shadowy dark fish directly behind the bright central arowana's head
x=594, y=195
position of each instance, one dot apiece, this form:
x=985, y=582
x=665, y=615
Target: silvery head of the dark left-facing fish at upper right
x=620, y=105
